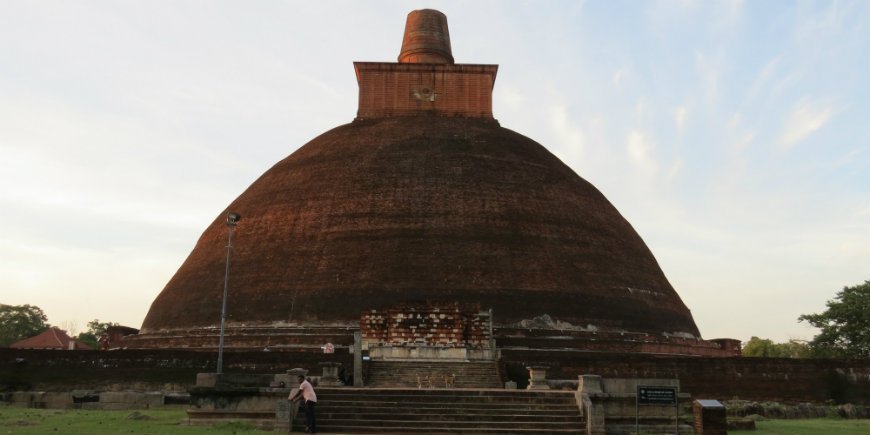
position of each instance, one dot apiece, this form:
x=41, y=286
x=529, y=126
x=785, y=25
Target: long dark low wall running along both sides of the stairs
x=760, y=379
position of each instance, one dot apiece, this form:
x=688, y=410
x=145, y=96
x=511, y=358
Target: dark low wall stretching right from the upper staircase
x=763, y=379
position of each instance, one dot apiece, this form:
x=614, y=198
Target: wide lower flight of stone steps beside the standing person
x=466, y=411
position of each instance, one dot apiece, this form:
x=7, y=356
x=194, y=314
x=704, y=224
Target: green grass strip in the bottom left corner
x=171, y=421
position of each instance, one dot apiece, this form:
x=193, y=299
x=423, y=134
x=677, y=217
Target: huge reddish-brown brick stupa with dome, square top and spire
x=423, y=197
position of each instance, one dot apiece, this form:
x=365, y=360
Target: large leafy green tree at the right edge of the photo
x=845, y=325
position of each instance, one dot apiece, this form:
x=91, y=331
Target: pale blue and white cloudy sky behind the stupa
x=734, y=136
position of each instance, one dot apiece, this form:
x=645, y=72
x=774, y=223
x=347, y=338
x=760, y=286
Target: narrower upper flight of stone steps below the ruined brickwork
x=433, y=374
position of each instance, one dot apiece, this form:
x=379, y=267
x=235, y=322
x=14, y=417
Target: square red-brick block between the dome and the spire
x=413, y=89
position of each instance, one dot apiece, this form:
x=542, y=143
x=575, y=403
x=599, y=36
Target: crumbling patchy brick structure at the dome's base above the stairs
x=449, y=325
